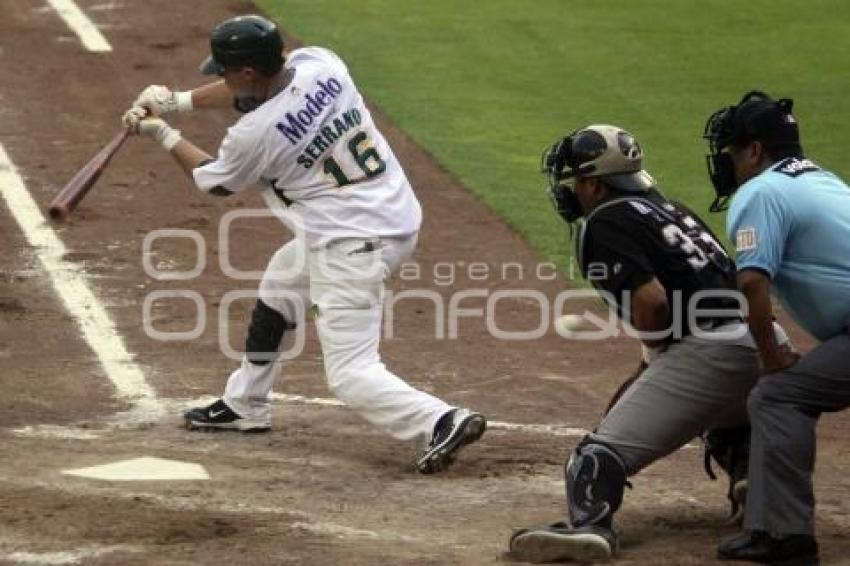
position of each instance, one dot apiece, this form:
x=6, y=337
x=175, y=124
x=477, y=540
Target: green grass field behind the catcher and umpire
x=485, y=86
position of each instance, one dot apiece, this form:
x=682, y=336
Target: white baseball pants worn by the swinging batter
x=343, y=284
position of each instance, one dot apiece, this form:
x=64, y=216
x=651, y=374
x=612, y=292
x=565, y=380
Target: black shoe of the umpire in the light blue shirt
x=759, y=546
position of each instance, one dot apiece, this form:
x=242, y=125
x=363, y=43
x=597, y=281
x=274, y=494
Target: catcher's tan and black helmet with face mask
x=599, y=150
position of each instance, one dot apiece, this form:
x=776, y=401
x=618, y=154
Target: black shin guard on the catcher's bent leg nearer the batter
x=596, y=479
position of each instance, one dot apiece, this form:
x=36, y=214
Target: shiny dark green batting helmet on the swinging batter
x=244, y=41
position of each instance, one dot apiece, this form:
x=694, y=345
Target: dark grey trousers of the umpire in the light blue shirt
x=784, y=409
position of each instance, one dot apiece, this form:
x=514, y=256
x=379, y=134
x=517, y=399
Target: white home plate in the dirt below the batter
x=143, y=469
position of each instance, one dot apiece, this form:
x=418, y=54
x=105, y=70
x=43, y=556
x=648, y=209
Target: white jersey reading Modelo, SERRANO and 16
x=314, y=147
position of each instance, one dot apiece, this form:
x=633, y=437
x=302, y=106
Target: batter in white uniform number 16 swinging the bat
x=307, y=138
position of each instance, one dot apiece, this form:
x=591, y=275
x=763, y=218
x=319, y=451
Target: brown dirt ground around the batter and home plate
x=323, y=487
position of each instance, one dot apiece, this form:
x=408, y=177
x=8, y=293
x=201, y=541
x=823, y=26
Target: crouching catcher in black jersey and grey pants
x=667, y=276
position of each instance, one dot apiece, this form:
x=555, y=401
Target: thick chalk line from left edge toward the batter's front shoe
x=69, y=280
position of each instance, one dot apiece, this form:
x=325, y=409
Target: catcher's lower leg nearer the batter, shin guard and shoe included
x=596, y=479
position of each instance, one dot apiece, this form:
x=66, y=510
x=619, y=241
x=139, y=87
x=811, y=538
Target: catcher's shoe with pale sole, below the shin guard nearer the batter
x=560, y=542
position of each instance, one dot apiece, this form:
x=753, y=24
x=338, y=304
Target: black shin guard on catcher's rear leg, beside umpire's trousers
x=730, y=448
